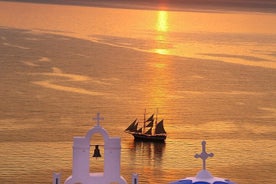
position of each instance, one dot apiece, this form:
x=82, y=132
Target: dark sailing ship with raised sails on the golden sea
x=151, y=129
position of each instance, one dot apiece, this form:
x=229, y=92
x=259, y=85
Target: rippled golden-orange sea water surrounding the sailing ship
x=210, y=75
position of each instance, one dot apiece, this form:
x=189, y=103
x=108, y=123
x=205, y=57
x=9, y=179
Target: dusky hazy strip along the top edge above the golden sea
x=265, y=6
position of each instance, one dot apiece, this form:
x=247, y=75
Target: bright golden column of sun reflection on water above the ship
x=160, y=75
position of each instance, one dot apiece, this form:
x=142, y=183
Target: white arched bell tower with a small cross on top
x=112, y=159
